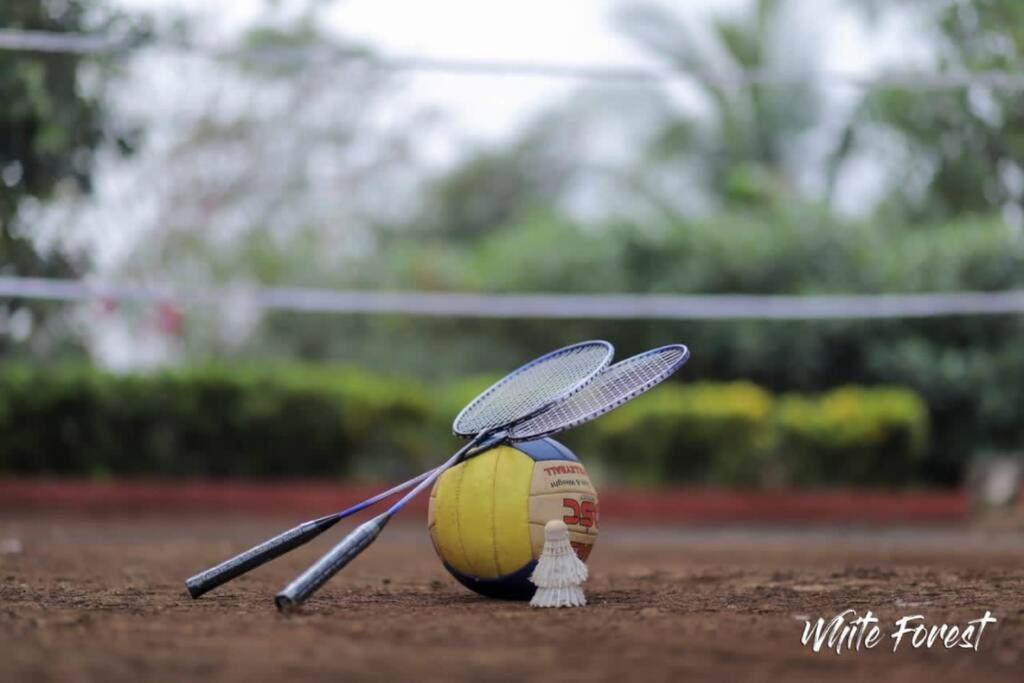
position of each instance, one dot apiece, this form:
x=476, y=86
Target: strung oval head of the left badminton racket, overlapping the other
x=533, y=388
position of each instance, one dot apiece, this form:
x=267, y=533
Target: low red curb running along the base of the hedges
x=669, y=506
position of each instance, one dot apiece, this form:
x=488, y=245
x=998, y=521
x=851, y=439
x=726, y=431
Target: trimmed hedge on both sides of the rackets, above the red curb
x=312, y=421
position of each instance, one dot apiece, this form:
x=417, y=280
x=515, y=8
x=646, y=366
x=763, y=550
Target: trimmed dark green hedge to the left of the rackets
x=212, y=422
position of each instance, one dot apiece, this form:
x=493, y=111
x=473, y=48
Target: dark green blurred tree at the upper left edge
x=51, y=127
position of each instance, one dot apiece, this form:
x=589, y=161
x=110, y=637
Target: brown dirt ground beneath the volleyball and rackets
x=104, y=601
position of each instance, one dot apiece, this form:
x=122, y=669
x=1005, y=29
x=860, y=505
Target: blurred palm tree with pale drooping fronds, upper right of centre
x=750, y=146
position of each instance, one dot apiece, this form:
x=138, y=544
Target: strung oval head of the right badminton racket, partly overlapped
x=612, y=389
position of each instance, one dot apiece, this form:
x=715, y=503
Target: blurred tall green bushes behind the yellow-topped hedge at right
x=968, y=370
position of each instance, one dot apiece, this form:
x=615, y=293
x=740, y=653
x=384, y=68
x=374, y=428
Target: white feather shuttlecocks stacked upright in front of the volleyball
x=560, y=574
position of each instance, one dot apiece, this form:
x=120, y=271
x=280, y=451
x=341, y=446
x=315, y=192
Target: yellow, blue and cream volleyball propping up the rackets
x=487, y=516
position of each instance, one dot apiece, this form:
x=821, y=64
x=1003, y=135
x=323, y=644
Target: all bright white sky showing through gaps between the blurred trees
x=481, y=109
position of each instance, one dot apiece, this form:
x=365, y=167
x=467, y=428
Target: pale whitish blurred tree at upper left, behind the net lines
x=288, y=151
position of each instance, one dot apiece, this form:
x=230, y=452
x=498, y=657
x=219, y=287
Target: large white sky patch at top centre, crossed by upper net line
x=563, y=32
